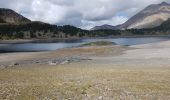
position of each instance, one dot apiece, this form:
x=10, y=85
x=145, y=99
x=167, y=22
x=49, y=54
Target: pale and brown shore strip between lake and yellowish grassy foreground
x=148, y=54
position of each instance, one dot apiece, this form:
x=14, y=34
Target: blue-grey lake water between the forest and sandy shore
x=53, y=45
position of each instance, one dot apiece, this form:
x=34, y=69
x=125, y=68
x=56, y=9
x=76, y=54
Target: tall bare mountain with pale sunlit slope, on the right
x=150, y=17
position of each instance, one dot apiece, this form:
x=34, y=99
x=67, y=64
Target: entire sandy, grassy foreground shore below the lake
x=88, y=73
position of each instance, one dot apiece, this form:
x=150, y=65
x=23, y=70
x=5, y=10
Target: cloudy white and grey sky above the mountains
x=80, y=13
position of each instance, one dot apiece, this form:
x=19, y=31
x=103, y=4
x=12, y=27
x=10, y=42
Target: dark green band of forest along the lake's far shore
x=43, y=30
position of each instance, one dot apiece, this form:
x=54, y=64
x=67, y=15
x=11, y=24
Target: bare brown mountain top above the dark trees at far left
x=11, y=17
